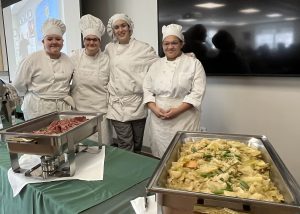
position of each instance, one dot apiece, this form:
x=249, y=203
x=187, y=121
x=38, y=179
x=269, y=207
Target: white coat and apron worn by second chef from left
x=89, y=87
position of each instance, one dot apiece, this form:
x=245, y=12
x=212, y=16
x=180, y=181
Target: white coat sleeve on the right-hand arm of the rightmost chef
x=198, y=87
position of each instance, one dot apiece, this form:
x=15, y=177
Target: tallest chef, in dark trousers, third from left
x=130, y=60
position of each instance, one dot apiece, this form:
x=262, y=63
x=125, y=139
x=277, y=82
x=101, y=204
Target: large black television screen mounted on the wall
x=238, y=37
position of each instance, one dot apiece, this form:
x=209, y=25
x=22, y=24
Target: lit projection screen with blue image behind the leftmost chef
x=23, y=21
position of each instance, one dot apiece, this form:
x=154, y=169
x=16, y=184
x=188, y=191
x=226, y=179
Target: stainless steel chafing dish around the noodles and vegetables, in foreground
x=186, y=200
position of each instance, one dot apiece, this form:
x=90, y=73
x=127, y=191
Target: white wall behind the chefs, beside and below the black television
x=243, y=105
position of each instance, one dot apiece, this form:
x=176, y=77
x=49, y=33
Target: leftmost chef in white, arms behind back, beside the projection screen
x=43, y=78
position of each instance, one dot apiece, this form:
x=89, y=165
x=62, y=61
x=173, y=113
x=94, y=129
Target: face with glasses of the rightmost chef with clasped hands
x=172, y=47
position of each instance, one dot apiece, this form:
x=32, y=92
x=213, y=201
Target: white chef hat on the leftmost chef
x=53, y=26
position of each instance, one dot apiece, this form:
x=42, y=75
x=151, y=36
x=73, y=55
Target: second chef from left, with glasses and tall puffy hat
x=90, y=78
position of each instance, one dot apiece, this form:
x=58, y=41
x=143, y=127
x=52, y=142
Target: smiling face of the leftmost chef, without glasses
x=53, y=45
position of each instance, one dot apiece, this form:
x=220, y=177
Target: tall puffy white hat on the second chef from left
x=91, y=25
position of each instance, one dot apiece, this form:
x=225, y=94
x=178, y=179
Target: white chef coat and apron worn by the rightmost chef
x=168, y=84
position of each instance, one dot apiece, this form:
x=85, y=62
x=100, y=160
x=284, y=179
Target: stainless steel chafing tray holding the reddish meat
x=49, y=144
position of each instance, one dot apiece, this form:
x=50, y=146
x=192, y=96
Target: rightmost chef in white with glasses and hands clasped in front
x=173, y=91
